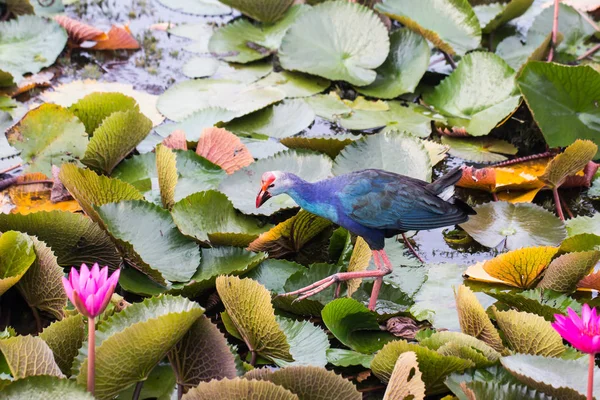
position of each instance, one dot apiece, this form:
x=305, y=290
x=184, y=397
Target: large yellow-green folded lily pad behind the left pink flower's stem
x=134, y=331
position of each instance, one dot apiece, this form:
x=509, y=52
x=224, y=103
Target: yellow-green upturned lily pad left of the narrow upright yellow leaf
x=90, y=189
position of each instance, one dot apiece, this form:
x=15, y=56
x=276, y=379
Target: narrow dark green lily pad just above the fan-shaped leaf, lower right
x=544, y=303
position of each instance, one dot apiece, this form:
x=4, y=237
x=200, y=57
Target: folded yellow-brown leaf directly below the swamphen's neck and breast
x=290, y=235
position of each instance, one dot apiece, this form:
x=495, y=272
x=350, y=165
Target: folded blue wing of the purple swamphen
x=388, y=201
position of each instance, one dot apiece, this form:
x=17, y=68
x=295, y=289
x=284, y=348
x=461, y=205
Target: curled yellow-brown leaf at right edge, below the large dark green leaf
x=571, y=161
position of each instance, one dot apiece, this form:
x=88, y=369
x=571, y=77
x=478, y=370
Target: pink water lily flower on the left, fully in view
x=90, y=291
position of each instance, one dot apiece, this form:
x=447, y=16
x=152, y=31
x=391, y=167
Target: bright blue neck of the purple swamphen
x=312, y=198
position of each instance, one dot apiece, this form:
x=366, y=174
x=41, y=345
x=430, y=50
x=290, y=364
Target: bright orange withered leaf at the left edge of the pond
x=35, y=197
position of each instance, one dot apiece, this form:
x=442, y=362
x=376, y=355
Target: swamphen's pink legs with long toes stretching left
x=345, y=276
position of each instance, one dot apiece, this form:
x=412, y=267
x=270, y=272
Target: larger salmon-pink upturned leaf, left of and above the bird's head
x=224, y=149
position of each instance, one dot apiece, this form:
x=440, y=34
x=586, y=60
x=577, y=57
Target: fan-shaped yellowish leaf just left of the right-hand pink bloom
x=529, y=333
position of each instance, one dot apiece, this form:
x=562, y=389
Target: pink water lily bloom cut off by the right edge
x=583, y=333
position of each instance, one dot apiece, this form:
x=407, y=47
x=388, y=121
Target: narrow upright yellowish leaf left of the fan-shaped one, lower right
x=474, y=320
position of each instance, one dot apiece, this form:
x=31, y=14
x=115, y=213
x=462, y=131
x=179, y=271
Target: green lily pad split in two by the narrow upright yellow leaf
x=195, y=174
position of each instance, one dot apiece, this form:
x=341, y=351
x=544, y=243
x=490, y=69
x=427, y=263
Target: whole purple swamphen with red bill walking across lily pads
x=373, y=204
